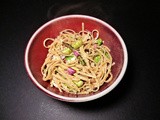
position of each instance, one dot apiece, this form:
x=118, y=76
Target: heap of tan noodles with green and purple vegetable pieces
x=77, y=62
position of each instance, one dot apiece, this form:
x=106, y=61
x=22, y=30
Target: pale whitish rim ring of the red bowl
x=77, y=99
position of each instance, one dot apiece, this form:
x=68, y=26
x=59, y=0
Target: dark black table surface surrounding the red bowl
x=137, y=97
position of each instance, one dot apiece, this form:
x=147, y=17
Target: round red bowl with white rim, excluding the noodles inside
x=35, y=54
